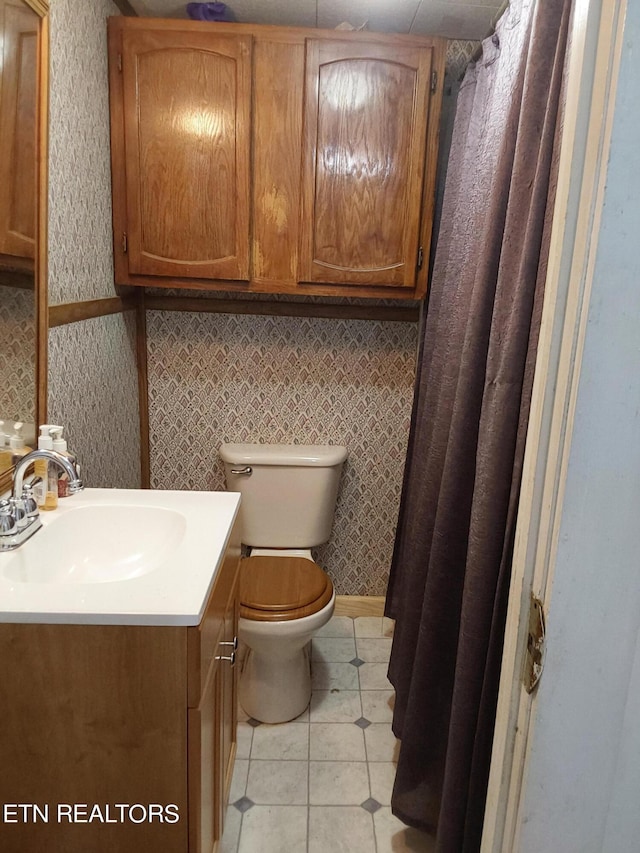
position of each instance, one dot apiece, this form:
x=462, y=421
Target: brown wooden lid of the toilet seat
x=281, y=588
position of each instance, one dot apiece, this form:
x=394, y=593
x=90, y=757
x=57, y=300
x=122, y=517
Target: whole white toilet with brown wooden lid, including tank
x=288, y=501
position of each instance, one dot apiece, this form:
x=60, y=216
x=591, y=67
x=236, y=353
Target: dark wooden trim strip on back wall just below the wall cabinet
x=281, y=309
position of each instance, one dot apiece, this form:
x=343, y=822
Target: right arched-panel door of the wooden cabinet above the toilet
x=364, y=158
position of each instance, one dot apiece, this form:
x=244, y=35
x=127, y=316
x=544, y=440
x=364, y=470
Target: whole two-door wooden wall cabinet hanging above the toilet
x=270, y=159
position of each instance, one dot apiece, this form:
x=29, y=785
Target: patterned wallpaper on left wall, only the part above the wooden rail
x=80, y=234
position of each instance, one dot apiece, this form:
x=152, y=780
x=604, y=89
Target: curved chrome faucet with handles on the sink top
x=19, y=517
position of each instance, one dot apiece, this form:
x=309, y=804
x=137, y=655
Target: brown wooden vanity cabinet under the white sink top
x=121, y=714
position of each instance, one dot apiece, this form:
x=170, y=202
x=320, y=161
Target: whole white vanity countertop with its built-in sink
x=184, y=533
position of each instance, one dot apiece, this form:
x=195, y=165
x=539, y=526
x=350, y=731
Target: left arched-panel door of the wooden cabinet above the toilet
x=186, y=113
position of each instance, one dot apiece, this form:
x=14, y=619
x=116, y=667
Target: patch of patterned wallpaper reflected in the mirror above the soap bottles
x=17, y=369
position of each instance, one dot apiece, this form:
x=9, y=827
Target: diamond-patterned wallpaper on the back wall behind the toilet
x=217, y=377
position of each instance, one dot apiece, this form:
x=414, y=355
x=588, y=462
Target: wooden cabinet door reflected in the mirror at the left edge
x=18, y=66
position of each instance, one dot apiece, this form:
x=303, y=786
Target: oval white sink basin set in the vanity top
x=98, y=544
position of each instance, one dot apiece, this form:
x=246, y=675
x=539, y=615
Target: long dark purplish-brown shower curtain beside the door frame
x=450, y=574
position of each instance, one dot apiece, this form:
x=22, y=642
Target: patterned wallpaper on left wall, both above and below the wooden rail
x=93, y=388
